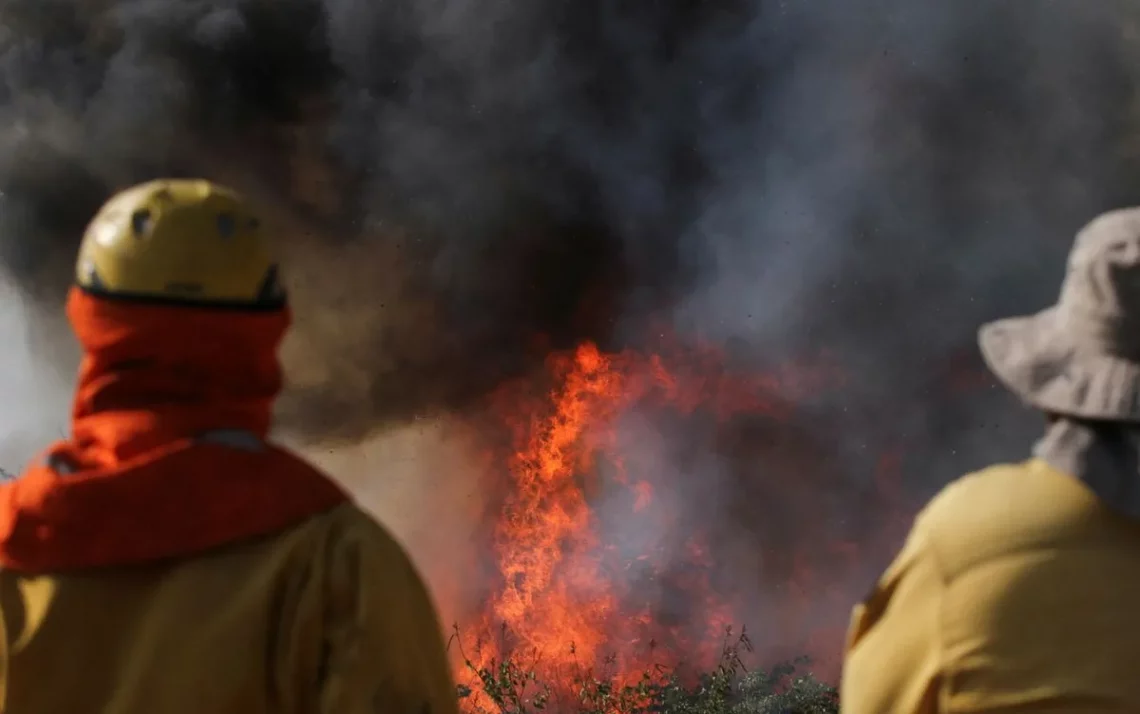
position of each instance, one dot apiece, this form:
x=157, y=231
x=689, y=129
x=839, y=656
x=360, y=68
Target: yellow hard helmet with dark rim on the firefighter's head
x=180, y=241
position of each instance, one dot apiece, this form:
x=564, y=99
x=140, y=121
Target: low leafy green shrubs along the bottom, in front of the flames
x=512, y=687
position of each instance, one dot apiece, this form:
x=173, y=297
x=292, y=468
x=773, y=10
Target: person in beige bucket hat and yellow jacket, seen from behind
x=1019, y=587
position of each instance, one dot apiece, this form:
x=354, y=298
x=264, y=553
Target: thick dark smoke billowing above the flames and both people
x=460, y=185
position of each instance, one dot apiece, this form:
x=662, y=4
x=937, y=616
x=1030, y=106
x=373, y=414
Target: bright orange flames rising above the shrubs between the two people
x=569, y=602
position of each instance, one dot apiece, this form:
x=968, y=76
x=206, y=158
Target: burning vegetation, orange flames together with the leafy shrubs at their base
x=591, y=606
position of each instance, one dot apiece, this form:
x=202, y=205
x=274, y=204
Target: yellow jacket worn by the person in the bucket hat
x=1017, y=591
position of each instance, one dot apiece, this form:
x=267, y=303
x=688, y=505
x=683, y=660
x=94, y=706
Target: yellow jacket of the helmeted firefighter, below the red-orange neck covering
x=329, y=616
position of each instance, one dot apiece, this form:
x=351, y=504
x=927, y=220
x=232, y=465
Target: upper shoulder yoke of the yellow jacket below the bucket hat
x=1011, y=509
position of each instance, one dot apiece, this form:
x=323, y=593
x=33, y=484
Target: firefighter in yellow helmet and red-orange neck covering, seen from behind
x=167, y=558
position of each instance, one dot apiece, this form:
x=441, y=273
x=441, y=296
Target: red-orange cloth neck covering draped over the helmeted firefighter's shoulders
x=136, y=483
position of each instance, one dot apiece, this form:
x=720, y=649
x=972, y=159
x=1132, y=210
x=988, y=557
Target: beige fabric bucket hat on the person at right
x=1082, y=356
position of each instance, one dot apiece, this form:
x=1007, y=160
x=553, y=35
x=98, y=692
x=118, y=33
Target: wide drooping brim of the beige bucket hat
x=1048, y=370
